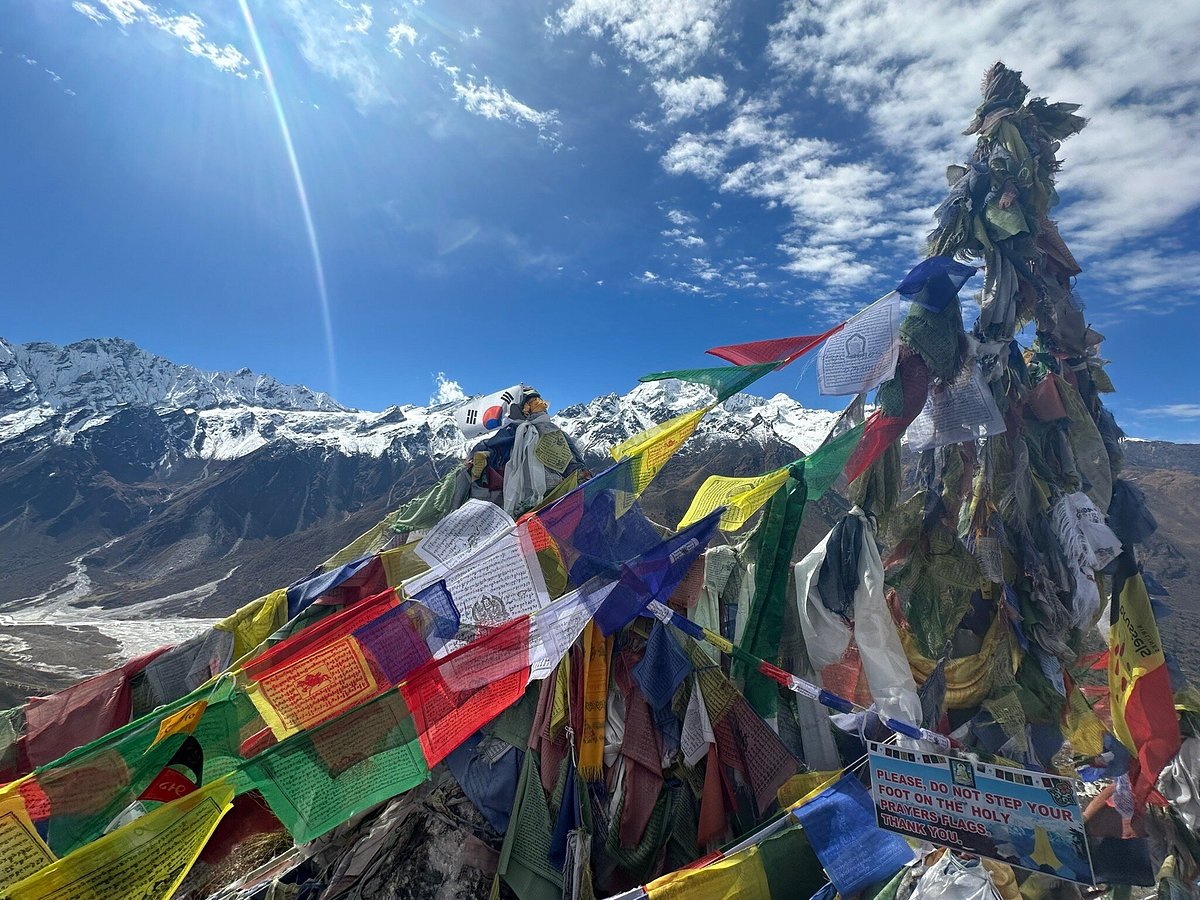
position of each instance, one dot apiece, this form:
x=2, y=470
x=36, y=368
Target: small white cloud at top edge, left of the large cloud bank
x=663, y=35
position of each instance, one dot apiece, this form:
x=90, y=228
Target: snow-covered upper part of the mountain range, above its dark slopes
x=89, y=395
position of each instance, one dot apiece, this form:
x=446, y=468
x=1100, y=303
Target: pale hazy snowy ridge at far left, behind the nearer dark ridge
x=103, y=375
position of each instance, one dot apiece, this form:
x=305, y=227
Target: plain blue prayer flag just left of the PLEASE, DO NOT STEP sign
x=855, y=851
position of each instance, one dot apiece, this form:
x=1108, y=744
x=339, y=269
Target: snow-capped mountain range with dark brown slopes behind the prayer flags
x=127, y=478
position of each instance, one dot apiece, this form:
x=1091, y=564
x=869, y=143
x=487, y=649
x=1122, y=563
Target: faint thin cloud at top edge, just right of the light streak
x=332, y=46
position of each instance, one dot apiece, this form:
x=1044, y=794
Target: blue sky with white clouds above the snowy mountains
x=568, y=194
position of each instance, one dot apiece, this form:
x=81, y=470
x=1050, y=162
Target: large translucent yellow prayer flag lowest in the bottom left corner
x=147, y=859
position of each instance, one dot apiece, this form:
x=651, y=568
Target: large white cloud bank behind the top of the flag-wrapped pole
x=911, y=67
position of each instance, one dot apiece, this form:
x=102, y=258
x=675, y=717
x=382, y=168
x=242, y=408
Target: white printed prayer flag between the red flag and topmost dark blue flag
x=863, y=355
